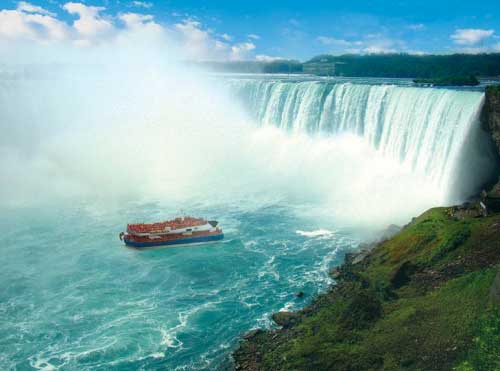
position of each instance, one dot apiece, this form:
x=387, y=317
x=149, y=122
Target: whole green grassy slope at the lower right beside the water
x=420, y=301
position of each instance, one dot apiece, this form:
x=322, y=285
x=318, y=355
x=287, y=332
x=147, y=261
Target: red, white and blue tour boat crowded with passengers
x=179, y=231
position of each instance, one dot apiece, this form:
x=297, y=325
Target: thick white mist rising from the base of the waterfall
x=129, y=121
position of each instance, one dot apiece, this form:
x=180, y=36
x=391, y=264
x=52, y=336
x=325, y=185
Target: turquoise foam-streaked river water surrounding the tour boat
x=74, y=298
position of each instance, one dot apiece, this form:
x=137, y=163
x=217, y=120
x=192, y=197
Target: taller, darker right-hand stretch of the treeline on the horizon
x=407, y=65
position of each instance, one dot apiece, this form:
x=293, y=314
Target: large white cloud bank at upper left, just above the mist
x=92, y=25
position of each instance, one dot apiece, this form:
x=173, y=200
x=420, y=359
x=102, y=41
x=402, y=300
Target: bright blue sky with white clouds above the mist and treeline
x=235, y=30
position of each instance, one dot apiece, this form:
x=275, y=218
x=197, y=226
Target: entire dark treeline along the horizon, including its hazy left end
x=375, y=65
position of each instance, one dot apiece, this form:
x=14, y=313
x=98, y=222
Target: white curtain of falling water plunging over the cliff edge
x=425, y=129
